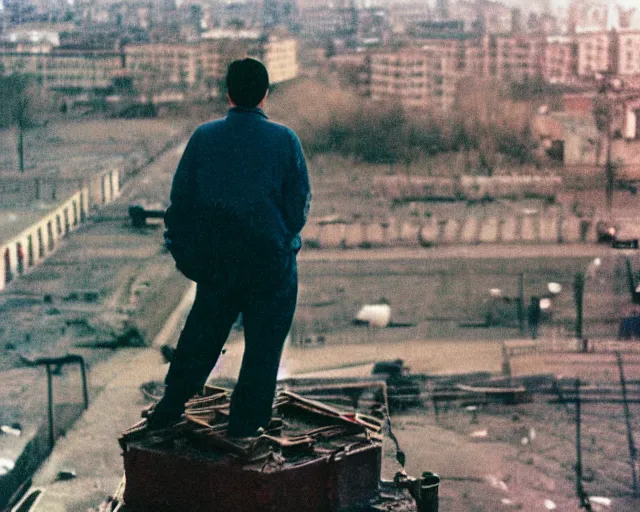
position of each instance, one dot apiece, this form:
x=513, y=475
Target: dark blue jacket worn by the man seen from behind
x=241, y=185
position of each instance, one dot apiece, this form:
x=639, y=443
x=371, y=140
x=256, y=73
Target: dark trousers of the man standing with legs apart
x=267, y=304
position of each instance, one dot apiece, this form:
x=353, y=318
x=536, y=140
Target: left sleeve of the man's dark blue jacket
x=183, y=188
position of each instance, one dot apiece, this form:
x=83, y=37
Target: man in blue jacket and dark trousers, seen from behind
x=239, y=199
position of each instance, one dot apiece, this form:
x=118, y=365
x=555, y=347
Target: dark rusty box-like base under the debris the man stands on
x=167, y=479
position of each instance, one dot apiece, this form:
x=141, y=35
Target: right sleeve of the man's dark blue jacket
x=297, y=192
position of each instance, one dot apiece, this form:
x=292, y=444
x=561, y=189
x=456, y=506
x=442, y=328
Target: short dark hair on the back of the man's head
x=247, y=82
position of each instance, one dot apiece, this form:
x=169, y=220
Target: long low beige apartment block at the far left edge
x=63, y=69
